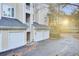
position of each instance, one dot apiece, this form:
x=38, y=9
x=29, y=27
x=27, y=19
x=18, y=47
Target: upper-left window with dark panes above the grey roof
x=8, y=11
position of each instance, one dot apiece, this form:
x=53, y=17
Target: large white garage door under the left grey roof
x=16, y=39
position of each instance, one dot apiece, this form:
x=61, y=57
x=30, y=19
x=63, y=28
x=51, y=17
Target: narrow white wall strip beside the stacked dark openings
x=30, y=28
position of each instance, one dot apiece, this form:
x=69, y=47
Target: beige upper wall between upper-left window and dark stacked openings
x=20, y=12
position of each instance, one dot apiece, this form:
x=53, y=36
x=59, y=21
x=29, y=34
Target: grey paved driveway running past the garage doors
x=66, y=46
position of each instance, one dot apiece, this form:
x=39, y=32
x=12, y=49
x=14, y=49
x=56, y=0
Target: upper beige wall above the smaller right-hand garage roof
x=40, y=13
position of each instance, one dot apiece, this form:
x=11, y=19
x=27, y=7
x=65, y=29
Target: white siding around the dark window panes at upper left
x=5, y=7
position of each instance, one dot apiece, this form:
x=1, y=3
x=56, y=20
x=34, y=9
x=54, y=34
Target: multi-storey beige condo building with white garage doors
x=22, y=23
